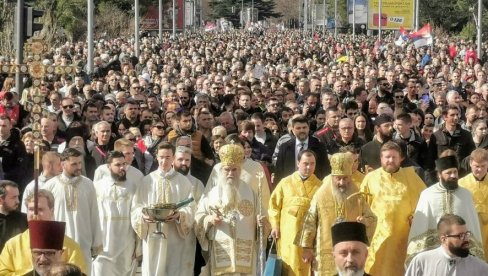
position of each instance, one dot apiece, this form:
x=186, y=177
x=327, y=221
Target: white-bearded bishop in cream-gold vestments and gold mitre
x=227, y=218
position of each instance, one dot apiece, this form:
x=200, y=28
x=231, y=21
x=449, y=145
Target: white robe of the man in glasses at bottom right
x=438, y=262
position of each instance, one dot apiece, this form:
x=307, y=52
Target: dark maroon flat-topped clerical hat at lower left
x=46, y=234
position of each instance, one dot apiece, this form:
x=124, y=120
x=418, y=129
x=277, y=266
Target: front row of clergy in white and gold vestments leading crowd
x=394, y=224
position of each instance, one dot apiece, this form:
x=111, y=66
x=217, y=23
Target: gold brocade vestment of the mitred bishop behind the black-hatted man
x=320, y=219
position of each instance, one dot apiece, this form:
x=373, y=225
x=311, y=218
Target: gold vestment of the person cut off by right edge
x=479, y=190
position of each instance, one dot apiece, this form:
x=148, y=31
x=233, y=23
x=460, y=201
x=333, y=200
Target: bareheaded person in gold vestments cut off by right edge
x=477, y=183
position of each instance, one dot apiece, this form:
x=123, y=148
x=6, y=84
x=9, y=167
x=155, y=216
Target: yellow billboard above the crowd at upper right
x=394, y=14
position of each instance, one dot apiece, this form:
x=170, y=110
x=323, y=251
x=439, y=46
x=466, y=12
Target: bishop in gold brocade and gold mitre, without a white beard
x=336, y=201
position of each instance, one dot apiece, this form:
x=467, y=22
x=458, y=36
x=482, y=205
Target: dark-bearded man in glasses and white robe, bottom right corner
x=452, y=257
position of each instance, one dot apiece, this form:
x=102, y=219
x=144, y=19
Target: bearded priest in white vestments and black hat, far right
x=445, y=197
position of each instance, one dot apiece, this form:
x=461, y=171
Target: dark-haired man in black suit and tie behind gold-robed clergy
x=286, y=163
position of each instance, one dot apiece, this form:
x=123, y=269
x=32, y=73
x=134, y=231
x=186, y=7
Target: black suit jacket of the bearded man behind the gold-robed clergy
x=285, y=163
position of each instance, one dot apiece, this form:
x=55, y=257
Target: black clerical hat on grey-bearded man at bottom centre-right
x=349, y=231
